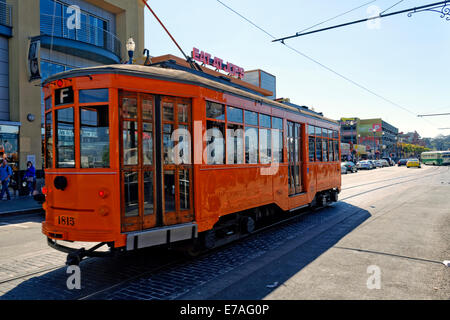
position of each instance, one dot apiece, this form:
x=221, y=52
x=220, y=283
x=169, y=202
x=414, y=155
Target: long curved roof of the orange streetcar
x=178, y=76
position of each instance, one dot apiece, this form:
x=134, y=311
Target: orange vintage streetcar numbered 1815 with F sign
x=140, y=156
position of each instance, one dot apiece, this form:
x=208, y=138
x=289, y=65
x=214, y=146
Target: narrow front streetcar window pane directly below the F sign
x=65, y=142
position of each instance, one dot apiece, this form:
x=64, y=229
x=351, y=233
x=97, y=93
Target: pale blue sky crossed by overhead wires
x=403, y=61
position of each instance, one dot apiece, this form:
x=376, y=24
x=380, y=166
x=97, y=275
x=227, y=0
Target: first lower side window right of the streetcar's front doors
x=215, y=145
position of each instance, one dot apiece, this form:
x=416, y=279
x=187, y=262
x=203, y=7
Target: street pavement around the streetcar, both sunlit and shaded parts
x=385, y=239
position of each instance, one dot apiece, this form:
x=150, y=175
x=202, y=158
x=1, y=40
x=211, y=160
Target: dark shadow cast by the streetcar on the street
x=297, y=243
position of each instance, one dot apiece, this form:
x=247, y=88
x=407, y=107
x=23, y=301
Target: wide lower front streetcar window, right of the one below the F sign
x=94, y=137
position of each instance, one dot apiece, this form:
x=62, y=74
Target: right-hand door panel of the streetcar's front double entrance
x=176, y=166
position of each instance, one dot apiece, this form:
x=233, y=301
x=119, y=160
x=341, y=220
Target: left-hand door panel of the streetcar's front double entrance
x=137, y=159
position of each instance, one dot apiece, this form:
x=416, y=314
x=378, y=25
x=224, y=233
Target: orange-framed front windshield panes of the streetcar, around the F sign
x=89, y=121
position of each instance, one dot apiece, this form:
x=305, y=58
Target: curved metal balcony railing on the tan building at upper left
x=58, y=27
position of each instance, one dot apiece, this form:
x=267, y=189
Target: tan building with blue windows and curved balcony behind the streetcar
x=39, y=38
